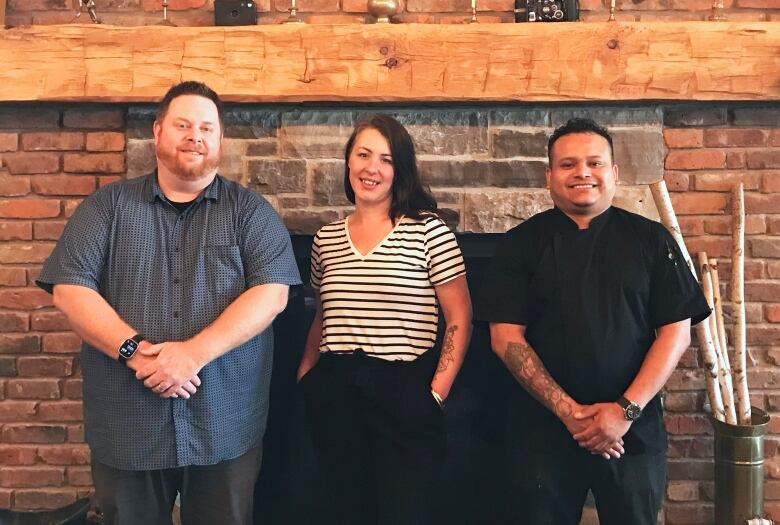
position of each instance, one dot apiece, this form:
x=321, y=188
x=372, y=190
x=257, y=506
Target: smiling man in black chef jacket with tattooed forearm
x=590, y=309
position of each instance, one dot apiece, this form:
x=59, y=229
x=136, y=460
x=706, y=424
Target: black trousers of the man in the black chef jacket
x=549, y=481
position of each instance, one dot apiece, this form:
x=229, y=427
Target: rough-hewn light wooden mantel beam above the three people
x=397, y=63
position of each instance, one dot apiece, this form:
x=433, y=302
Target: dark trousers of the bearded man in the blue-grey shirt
x=218, y=494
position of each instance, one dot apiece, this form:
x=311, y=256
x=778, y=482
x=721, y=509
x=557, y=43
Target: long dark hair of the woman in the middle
x=409, y=196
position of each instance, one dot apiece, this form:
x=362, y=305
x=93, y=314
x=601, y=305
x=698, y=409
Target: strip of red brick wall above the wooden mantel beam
x=200, y=12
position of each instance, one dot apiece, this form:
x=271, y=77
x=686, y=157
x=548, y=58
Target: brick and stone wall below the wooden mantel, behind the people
x=486, y=168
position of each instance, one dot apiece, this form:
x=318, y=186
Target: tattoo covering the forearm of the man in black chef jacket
x=528, y=369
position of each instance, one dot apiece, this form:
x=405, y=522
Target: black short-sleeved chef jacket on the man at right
x=591, y=301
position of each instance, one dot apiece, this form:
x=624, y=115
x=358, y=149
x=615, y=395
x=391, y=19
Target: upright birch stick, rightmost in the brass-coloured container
x=738, y=302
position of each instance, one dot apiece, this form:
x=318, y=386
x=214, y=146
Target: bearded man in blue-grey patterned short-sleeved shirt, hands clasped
x=172, y=280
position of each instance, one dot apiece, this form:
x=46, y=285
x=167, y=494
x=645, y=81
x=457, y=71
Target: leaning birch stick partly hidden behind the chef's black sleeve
x=706, y=346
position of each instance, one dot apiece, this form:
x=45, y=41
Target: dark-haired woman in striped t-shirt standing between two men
x=373, y=383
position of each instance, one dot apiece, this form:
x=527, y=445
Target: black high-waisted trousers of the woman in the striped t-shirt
x=378, y=436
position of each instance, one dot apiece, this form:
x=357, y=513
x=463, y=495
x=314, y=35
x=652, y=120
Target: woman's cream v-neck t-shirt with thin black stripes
x=383, y=302
